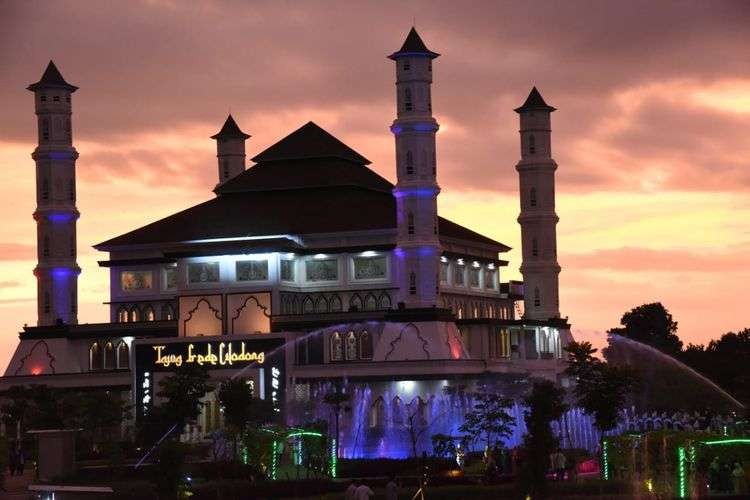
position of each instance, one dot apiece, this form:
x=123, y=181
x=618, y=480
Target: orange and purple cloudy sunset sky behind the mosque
x=651, y=132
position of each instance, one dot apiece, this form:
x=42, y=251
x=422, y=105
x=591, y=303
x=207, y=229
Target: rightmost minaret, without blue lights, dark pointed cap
x=538, y=219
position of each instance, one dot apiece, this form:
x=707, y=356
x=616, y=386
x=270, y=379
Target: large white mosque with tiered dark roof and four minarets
x=304, y=272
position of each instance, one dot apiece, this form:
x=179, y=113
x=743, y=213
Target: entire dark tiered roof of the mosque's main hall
x=326, y=191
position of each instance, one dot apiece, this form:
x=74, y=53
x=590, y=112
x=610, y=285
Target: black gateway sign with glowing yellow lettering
x=262, y=356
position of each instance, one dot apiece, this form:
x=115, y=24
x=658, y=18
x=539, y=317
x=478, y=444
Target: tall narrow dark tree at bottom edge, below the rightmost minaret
x=545, y=404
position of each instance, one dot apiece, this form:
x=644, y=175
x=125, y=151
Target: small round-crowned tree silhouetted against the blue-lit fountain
x=489, y=419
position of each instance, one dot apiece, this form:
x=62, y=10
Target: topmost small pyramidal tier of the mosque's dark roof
x=307, y=142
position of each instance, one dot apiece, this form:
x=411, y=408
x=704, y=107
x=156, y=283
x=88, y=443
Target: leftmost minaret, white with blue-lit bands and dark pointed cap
x=56, y=213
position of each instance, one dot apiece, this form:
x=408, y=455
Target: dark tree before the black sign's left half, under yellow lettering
x=183, y=391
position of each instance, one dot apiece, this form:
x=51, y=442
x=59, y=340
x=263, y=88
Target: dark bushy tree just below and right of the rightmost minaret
x=601, y=389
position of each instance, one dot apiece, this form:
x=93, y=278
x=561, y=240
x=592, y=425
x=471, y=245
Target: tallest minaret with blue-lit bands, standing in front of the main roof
x=417, y=245
